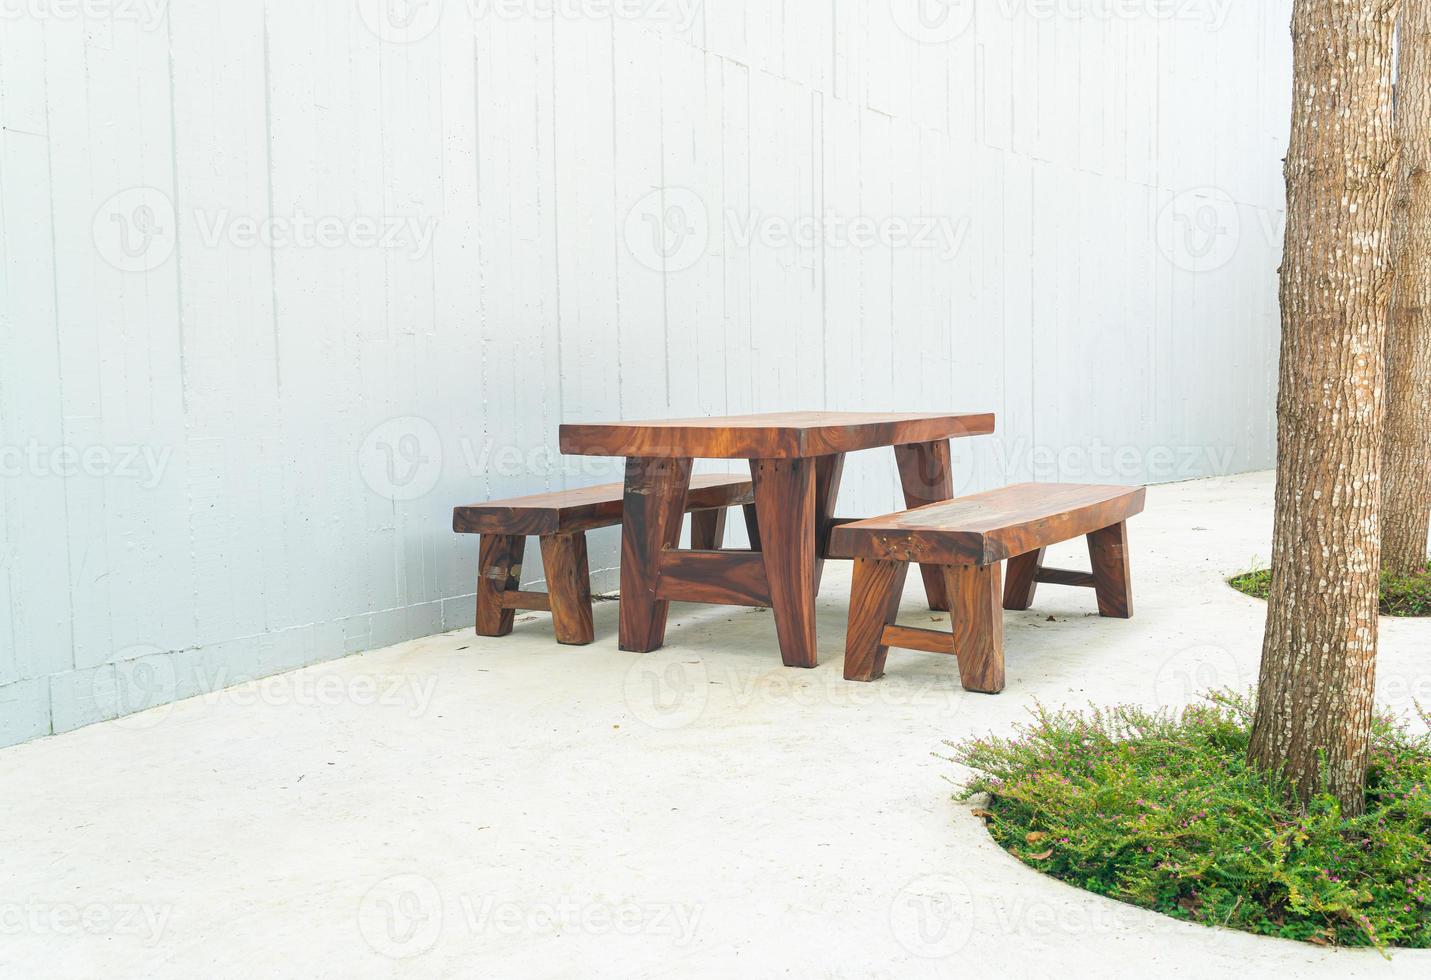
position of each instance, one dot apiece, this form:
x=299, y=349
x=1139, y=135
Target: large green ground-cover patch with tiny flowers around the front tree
x=1161, y=810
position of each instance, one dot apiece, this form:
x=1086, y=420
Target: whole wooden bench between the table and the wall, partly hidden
x=562, y=521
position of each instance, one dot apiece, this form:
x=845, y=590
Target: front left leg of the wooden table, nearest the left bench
x=650, y=524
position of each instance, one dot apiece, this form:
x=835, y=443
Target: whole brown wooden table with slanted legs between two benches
x=796, y=461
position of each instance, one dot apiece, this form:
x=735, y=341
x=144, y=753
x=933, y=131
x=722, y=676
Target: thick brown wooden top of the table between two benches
x=778, y=436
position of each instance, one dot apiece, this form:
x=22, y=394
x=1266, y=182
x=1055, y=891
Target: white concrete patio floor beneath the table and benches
x=466, y=808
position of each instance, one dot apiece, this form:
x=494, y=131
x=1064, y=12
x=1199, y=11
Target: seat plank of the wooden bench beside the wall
x=587, y=507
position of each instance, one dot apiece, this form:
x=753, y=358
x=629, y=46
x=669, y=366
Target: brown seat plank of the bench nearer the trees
x=990, y=527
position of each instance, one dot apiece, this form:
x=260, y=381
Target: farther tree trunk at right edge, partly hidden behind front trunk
x=1406, y=463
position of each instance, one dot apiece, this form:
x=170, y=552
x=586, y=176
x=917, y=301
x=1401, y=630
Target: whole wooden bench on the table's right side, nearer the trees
x=970, y=537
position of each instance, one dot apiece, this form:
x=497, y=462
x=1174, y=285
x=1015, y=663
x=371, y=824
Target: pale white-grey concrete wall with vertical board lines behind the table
x=225, y=459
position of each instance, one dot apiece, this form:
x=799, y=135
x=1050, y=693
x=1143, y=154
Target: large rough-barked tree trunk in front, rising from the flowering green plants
x=1320, y=649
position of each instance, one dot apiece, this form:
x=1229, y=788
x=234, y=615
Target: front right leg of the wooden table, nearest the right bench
x=786, y=509
